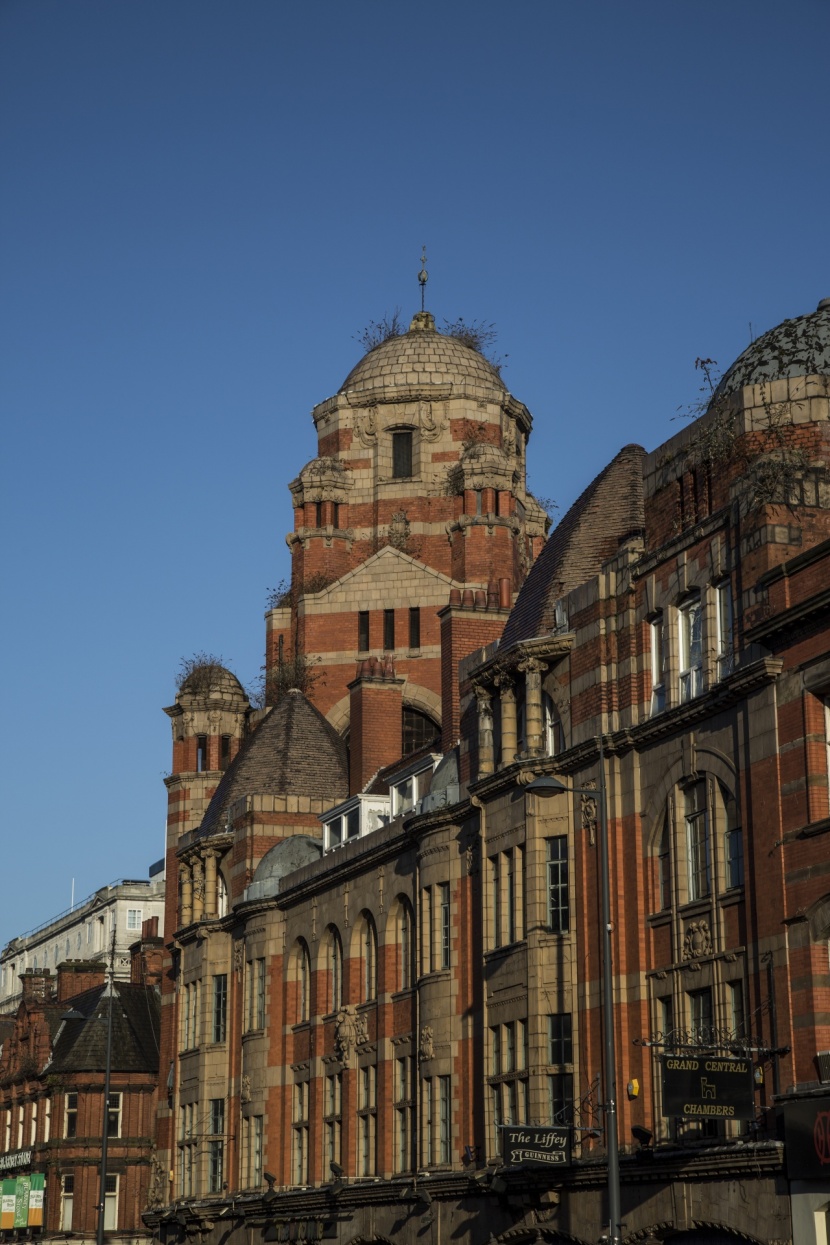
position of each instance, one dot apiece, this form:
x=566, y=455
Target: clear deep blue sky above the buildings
x=203, y=204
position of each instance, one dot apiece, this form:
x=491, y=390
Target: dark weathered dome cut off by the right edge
x=796, y=348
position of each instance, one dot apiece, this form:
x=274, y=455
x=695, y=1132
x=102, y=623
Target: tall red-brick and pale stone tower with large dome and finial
x=419, y=491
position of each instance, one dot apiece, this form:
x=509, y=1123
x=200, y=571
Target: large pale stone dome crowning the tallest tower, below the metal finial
x=422, y=357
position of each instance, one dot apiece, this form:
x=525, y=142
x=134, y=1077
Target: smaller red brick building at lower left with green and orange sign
x=53, y=1074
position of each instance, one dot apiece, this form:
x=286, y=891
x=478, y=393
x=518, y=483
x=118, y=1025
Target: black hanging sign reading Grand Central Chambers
x=709, y=1088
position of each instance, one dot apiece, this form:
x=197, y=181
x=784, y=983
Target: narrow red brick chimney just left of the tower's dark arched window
x=376, y=721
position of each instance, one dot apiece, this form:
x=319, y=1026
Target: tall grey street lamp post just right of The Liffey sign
x=548, y=785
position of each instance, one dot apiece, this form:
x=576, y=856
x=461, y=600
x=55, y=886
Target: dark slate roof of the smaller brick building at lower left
x=83, y=1044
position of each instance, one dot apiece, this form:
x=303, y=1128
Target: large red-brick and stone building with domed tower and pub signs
x=352, y=1018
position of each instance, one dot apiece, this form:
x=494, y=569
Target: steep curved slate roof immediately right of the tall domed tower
x=609, y=510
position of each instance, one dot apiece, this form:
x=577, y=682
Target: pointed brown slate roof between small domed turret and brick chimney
x=294, y=751
